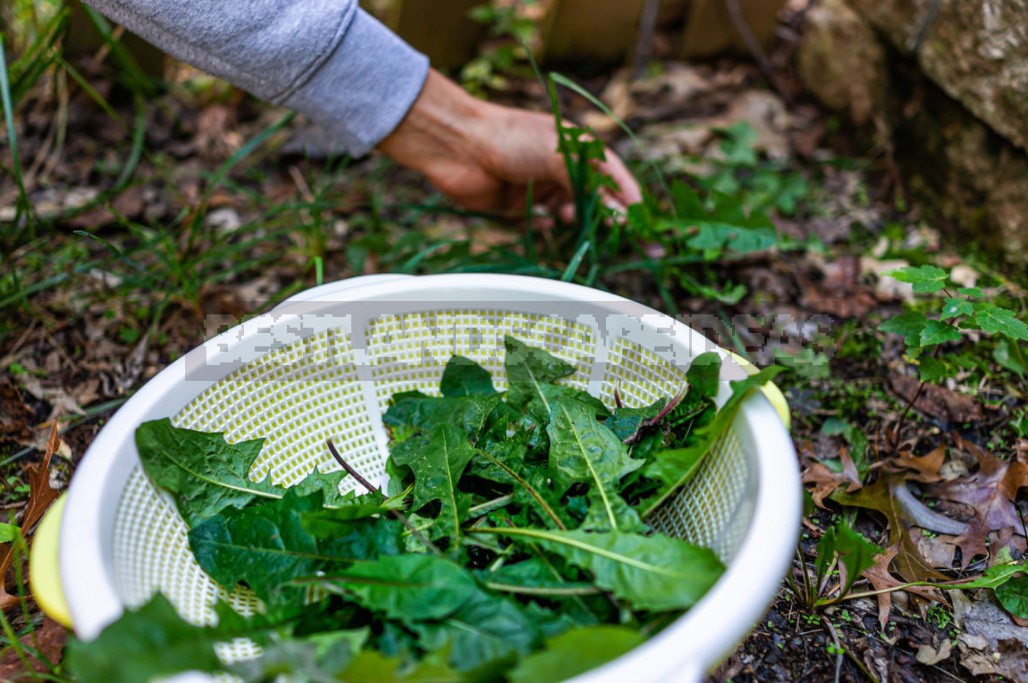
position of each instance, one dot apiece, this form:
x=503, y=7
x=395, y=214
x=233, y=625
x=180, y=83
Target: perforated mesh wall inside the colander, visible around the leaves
x=299, y=397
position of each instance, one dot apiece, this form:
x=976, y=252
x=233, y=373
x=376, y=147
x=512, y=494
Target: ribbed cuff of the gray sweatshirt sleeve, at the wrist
x=366, y=88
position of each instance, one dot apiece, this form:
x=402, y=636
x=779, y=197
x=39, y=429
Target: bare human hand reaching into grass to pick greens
x=484, y=156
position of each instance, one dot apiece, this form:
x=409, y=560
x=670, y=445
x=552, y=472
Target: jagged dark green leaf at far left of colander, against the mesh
x=205, y=475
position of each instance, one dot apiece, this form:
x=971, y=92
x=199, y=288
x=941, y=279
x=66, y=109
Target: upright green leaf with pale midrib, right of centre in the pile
x=583, y=450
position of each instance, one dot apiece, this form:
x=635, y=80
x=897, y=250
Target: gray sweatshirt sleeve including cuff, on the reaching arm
x=327, y=59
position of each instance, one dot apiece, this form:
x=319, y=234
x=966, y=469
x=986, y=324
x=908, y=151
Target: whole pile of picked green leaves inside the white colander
x=513, y=543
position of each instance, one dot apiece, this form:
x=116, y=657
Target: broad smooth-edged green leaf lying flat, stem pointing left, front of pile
x=410, y=588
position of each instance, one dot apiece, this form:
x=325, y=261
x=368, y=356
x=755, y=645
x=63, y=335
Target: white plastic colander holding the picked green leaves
x=324, y=366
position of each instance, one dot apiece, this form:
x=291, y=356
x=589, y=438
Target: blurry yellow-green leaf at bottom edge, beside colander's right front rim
x=575, y=653
